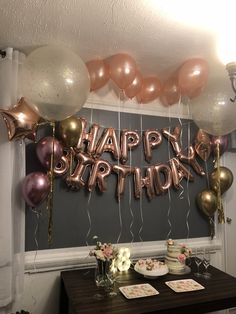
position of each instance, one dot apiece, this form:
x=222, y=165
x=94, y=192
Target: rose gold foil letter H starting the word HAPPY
x=87, y=138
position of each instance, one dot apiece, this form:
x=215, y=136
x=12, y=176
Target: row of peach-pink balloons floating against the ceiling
x=122, y=69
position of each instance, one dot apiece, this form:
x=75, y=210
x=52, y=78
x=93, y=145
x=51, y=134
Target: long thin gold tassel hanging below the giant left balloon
x=50, y=195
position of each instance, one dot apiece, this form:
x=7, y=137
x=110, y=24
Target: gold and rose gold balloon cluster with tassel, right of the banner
x=220, y=179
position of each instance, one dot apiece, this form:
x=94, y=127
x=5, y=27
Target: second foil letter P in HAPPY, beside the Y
x=151, y=139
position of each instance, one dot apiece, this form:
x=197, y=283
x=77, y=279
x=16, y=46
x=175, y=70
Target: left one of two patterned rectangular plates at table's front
x=138, y=291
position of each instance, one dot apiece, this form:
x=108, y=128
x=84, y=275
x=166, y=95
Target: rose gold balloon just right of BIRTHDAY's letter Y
x=203, y=145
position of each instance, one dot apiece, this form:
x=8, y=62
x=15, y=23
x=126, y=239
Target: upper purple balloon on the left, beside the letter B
x=44, y=151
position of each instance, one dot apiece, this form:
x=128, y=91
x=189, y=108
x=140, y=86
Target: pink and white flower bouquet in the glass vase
x=104, y=251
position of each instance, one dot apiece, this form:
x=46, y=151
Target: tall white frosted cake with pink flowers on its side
x=176, y=256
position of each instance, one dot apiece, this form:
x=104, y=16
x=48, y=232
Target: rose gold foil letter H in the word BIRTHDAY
x=147, y=181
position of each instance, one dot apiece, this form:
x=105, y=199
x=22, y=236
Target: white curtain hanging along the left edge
x=12, y=170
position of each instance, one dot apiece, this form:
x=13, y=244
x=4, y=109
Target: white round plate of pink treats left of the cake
x=151, y=269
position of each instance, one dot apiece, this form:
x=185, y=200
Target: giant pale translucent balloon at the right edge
x=213, y=111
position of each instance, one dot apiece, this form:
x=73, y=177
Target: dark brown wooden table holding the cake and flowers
x=78, y=290
